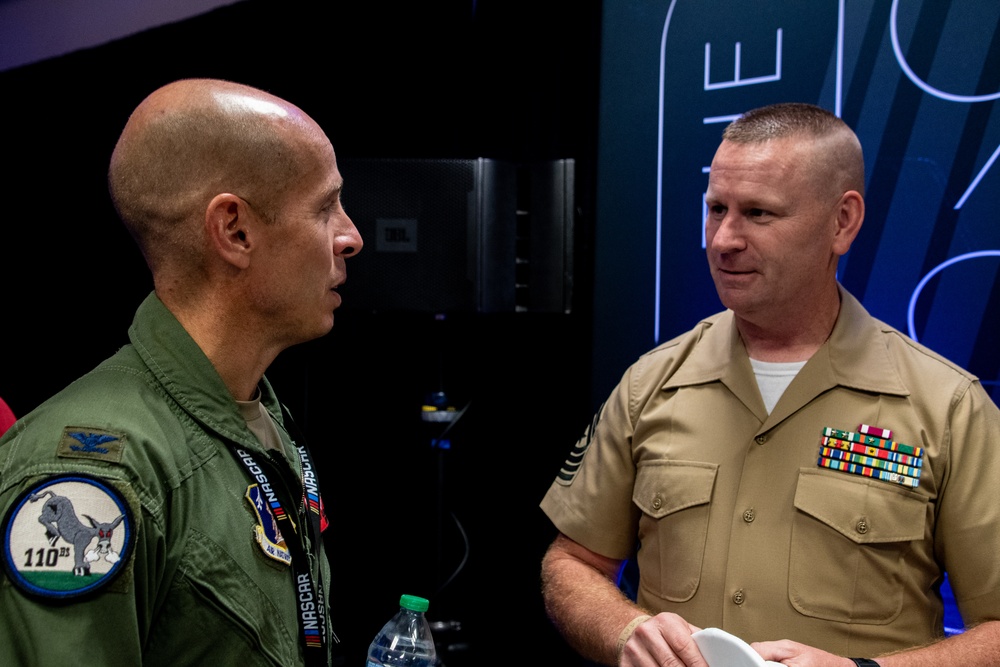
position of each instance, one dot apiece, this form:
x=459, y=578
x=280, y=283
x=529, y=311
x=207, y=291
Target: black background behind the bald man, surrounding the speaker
x=509, y=80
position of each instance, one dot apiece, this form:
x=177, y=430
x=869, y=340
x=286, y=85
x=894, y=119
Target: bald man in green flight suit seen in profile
x=162, y=509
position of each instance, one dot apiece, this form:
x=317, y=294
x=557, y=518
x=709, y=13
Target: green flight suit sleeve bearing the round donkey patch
x=77, y=572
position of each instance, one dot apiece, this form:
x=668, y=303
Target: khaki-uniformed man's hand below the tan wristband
x=662, y=641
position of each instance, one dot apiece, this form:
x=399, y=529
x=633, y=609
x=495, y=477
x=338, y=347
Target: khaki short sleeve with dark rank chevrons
x=591, y=499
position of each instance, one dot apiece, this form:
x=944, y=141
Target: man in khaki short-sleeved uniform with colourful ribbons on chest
x=790, y=469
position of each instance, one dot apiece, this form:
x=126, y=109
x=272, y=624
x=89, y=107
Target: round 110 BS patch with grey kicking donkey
x=67, y=536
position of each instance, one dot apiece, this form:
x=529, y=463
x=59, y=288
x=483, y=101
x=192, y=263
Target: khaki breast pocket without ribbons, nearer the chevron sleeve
x=675, y=498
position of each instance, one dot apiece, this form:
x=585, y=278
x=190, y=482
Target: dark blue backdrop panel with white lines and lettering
x=917, y=80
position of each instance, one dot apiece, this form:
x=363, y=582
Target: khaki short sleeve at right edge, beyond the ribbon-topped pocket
x=968, y=529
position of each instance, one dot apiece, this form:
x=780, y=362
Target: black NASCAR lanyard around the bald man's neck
x=308, y=589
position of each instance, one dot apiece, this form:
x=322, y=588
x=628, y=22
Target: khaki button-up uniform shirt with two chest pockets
x=738, y=527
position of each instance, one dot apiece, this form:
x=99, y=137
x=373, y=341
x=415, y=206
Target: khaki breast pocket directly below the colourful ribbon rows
x=849, y=539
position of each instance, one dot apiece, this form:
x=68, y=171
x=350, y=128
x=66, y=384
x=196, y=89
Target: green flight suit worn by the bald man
x=153, y=428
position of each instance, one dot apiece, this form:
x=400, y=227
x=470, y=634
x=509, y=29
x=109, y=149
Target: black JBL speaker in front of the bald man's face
x=459, y=235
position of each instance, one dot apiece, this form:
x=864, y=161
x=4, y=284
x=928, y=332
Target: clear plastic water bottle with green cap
x=405, y=641
